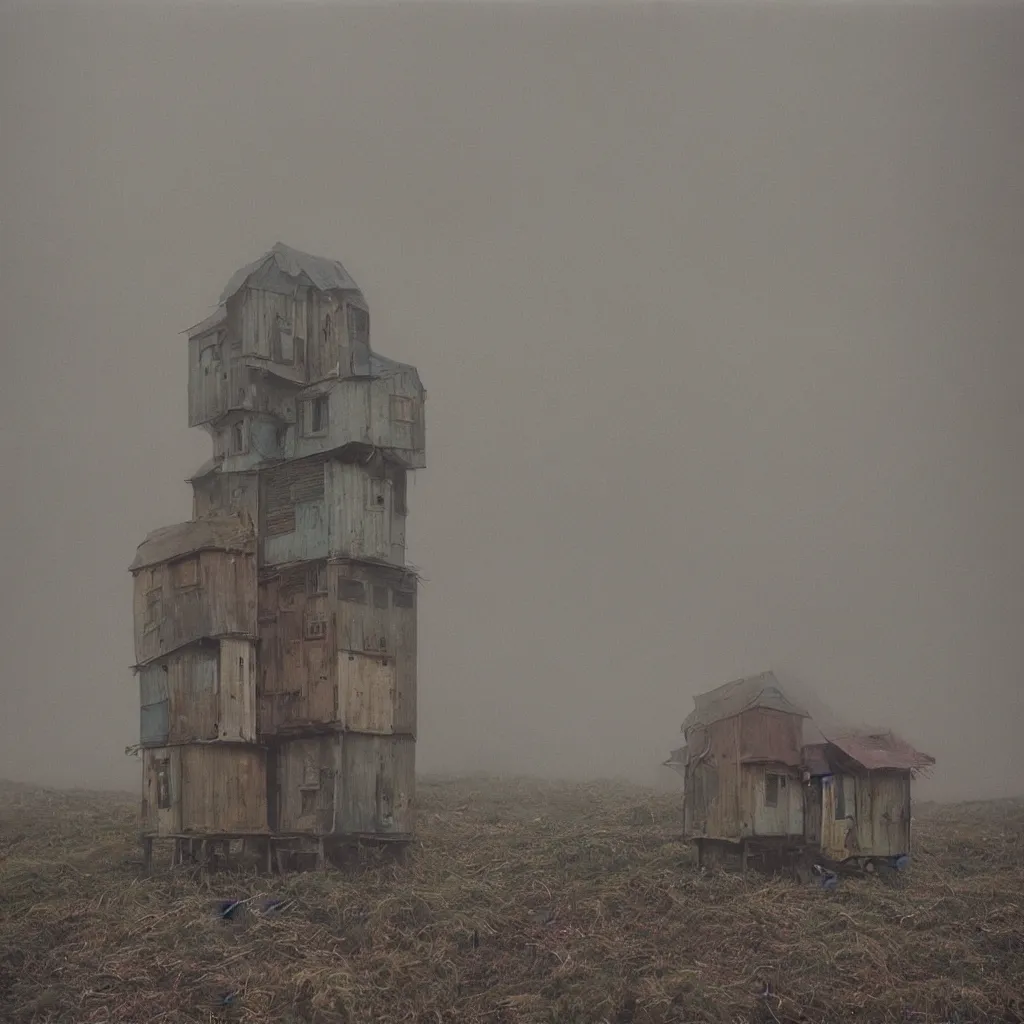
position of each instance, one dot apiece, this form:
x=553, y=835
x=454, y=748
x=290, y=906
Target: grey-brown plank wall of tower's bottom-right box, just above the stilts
x=345, y=785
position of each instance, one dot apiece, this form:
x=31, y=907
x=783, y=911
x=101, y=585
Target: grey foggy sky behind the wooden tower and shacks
x=719, y=313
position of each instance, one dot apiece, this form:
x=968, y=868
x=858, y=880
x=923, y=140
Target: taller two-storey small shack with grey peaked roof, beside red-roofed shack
x=741, y=766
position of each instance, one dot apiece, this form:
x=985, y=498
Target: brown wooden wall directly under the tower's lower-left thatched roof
x=209, y=594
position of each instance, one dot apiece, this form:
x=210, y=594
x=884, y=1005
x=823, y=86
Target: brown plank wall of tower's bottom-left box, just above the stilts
x=204, y=788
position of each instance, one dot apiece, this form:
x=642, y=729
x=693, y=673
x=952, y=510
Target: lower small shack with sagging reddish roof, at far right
x=859, y=798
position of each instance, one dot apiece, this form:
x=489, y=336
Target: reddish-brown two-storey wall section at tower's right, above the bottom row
x=338, y=649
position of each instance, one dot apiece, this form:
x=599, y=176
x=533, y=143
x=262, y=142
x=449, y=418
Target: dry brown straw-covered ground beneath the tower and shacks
x=524, y=903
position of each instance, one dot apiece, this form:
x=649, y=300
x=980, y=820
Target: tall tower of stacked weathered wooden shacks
x=276, y=631
